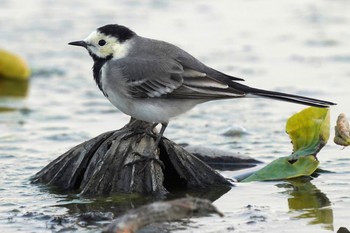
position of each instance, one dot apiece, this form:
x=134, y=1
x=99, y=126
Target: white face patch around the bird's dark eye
x=103, y=46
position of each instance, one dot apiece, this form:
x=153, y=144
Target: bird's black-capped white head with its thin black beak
x=106, y=42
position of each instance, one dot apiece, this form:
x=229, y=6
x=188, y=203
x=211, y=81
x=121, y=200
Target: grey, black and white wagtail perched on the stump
x=154, y=81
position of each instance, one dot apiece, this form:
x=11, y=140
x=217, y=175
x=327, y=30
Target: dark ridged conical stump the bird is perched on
x=100, y=166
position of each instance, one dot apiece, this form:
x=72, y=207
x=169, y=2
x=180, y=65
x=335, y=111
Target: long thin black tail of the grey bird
x=289, y=97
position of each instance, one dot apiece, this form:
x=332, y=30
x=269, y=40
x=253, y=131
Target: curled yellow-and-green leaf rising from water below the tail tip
x=309, y=132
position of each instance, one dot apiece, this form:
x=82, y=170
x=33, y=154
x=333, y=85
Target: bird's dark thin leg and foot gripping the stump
x=152, y=155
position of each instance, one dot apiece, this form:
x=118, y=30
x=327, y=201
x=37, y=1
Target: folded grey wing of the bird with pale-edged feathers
x=168, y=78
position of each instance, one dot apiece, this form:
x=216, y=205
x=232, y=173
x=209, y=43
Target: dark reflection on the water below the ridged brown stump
x=101, y=210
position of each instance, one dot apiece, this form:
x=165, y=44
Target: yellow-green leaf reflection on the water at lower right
x=307, y=201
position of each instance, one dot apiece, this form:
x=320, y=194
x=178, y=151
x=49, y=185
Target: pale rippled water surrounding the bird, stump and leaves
x=300, y=47
